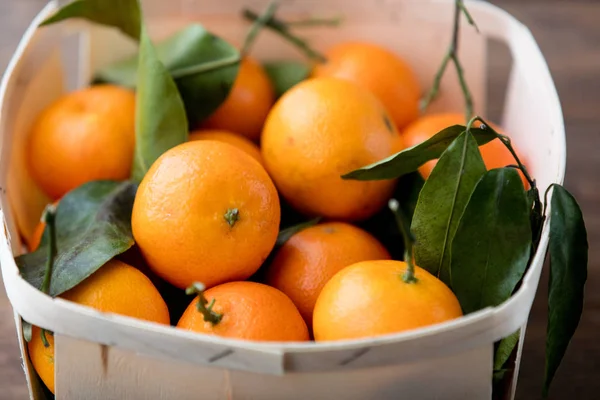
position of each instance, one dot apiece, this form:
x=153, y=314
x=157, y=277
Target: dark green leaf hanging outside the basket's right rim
x=568, y=272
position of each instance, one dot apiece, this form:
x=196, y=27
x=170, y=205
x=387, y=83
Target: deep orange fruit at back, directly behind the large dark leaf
x=249, y=101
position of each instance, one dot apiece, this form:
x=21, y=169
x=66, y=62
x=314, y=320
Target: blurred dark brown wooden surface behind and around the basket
x=568, y=31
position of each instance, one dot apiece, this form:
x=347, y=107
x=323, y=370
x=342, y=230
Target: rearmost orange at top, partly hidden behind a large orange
x=379, y=70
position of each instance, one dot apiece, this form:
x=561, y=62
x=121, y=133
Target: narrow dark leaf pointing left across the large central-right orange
x=411, y=159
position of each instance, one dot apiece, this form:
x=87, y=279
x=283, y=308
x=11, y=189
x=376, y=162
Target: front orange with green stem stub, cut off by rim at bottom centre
x=250, y=311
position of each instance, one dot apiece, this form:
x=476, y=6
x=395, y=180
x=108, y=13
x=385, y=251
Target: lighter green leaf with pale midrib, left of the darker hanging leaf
x=441, y=203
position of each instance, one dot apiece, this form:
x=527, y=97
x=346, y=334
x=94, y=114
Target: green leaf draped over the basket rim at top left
x=121, y=14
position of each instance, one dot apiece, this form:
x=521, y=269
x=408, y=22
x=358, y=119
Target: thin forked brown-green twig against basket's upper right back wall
x=452, y=55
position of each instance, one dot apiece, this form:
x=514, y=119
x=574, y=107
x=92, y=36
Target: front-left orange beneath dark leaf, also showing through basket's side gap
x=115, y=288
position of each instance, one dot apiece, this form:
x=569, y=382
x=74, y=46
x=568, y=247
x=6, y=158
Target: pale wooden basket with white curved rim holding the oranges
x=105, y=356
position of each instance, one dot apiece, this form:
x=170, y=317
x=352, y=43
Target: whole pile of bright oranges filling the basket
x=208, y=212
